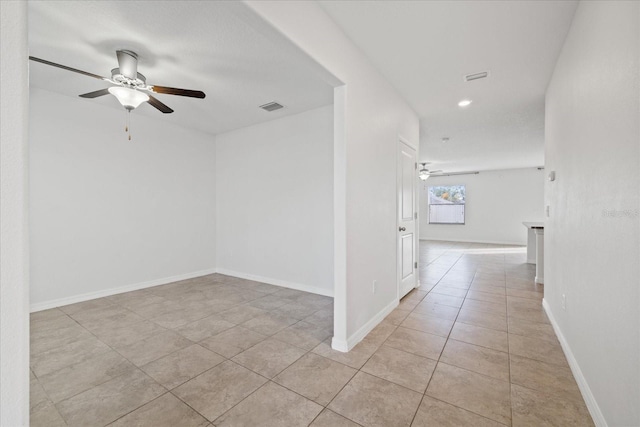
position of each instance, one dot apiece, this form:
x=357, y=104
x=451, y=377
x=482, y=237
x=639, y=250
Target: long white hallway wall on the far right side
x=592, y=235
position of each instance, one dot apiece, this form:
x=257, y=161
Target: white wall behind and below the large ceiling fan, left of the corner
x=108, y=213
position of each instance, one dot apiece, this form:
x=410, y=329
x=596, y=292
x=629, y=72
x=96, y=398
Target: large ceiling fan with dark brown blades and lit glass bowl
x=129, y=86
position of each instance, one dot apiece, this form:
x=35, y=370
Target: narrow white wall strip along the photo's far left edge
x=14, y=256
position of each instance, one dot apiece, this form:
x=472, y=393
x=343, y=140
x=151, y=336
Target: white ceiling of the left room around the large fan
x=200, y=45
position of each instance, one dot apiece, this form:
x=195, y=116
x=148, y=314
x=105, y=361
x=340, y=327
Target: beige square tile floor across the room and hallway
x=472, y=346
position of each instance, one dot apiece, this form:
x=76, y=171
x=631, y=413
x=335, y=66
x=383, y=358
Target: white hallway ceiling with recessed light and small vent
x=424, y=48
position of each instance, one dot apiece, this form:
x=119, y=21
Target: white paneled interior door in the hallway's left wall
x=407, y=214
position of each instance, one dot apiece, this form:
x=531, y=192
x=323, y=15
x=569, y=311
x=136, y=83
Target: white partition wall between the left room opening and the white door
x=369, y=117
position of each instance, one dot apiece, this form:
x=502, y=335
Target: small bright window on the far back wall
x=446, y=204
